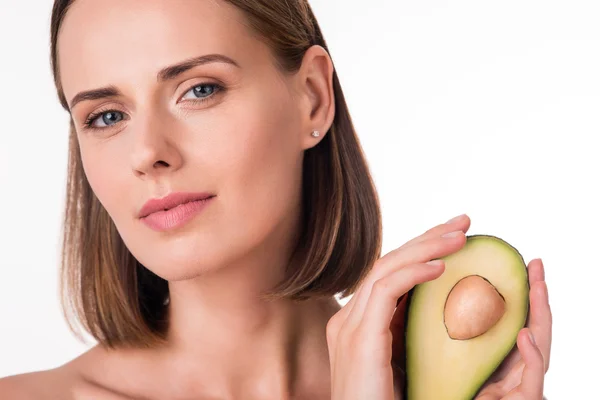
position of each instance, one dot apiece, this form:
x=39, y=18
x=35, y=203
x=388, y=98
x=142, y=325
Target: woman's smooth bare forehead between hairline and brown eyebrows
x=104, y=42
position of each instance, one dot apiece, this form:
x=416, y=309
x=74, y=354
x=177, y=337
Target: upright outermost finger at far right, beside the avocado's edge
x=541, y=319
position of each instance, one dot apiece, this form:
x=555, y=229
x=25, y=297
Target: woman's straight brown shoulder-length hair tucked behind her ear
x=120, y=302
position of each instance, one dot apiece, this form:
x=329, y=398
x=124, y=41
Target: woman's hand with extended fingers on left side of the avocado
x=359, y=337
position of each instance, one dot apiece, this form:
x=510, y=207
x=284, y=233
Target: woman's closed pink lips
x=174, y=210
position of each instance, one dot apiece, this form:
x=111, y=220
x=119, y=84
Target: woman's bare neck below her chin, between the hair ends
x=246, y=346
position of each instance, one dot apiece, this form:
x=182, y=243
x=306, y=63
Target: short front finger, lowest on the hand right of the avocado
x=532, y=381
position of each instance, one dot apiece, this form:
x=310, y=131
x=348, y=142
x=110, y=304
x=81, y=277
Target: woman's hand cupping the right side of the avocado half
x=521, y=374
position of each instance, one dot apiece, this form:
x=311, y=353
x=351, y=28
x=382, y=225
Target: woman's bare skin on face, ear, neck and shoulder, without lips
x=245, y=144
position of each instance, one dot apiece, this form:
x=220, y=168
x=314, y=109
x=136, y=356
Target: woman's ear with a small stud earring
x=317, y=100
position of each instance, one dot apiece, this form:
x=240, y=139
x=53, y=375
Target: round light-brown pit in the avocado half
x=472, y=308
